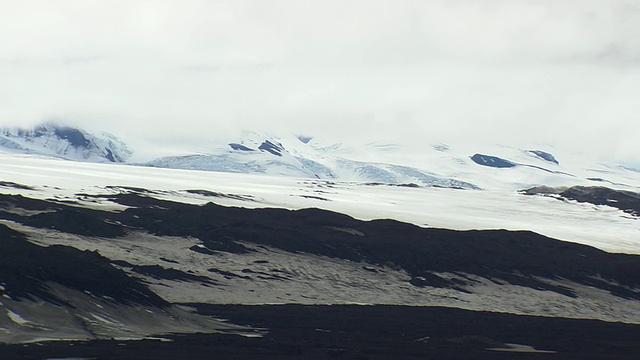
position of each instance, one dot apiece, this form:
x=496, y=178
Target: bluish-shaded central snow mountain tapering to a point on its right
x=302, y=157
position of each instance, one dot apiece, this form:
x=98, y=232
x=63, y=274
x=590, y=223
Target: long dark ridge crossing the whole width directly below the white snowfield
x=515, y=257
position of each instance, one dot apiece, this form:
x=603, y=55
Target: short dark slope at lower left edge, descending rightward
x=26, y=268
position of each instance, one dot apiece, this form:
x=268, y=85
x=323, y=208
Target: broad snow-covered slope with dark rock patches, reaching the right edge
x=466, y=166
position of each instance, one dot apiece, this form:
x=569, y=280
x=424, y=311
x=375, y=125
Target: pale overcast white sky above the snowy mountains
x=184, y=72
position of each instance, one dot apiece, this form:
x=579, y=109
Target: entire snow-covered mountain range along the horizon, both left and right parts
x=461, y=166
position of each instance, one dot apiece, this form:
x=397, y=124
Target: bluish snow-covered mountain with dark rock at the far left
x=66, y=142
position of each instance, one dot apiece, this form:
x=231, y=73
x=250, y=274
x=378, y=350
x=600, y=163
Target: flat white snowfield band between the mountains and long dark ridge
x=603, y=227
